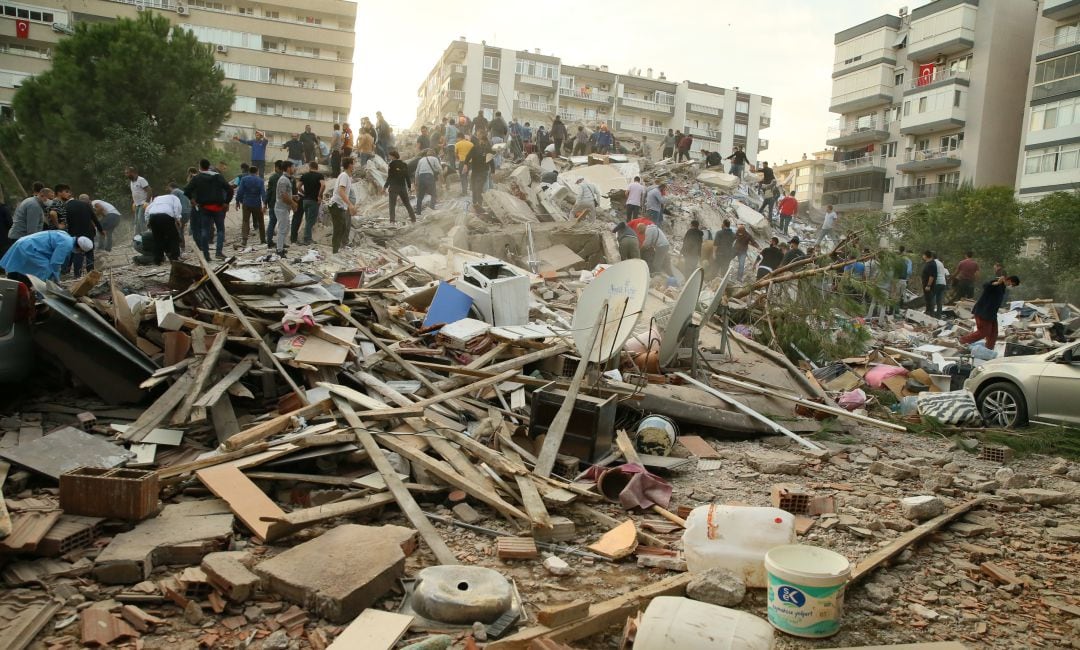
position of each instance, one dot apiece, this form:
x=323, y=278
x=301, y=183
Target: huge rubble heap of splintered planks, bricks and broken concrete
x=483, y=431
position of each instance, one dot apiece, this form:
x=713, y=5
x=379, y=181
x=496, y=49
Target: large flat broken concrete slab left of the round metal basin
x=342, y=573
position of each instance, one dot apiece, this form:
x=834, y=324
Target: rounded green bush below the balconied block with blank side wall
x=987, y=221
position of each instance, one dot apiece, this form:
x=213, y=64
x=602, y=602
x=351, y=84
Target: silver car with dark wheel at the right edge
x=1012, y=390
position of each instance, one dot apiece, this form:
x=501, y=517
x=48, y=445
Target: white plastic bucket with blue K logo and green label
x=806, y=590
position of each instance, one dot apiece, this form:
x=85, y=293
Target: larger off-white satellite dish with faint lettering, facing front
x=625, y=287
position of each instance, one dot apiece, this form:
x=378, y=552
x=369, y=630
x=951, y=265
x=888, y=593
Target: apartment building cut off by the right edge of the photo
x=1050, y=160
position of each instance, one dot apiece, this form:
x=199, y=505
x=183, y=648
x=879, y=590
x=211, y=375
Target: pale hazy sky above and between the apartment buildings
x=781, y=49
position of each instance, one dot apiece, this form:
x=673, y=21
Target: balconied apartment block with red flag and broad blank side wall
x=928, y=100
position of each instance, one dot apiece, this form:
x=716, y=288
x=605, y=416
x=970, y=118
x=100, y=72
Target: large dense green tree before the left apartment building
x=140, y=93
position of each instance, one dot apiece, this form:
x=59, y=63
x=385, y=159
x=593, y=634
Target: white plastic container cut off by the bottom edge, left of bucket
x=674, y=624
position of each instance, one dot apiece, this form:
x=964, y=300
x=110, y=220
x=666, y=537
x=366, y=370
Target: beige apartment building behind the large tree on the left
x=291, y=63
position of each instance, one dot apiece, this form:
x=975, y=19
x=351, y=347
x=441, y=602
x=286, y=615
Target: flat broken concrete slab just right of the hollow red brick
x=182, y=535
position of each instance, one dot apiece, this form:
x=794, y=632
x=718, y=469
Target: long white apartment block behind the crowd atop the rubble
x=535, y=88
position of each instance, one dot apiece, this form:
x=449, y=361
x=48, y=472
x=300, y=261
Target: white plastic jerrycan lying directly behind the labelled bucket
x=736, y=538
